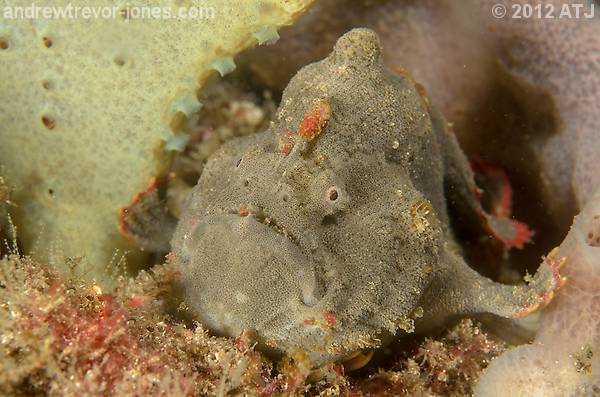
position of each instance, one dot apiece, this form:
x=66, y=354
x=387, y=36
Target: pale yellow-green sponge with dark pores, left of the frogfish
x=88, y=104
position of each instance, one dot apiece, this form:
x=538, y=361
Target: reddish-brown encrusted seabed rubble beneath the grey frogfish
x=65, y=337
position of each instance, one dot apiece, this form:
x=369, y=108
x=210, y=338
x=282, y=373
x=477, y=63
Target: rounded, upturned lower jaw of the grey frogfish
x=247, y=272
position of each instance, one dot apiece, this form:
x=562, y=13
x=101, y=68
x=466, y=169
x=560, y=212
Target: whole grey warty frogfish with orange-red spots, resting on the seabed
x=329, y=231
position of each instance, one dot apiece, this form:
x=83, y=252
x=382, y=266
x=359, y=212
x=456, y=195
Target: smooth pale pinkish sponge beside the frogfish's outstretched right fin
x=564, y=359
